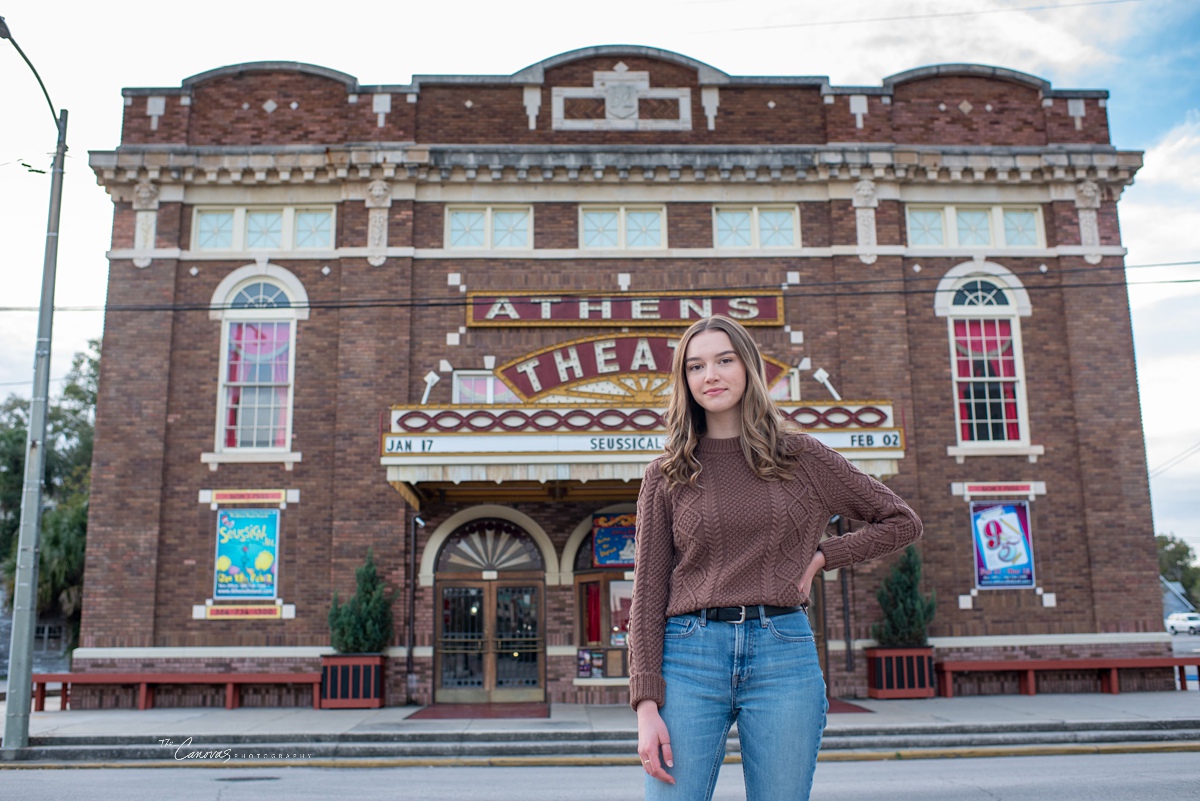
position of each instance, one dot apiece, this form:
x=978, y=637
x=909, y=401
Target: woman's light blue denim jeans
x=763, y=674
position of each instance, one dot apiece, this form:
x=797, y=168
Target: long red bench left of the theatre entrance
x=146, y=684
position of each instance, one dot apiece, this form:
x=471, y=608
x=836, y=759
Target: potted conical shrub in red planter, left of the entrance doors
x=359, y=631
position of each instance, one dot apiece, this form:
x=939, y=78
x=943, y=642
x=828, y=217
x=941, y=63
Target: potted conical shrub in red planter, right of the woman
x=903, y=664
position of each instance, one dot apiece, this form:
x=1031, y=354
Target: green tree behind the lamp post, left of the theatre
x=70, y=425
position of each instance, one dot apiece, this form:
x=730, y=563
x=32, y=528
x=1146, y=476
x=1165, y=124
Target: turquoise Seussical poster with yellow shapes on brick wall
x=248, y=555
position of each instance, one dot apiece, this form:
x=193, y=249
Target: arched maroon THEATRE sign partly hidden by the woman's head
x=601, y=358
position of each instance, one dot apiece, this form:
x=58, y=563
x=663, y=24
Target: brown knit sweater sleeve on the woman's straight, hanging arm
x=652, y=580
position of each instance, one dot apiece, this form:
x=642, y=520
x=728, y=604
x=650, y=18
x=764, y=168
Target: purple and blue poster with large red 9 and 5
x=1004, y=545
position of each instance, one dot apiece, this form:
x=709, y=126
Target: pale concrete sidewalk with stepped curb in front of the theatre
x=581, y=734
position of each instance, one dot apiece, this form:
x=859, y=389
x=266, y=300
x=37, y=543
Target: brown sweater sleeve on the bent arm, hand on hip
x=850, y=492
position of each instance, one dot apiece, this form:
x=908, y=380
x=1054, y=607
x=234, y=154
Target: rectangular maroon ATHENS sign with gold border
x=644, y=310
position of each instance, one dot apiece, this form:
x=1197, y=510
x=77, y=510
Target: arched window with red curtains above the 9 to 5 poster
x=988, y=371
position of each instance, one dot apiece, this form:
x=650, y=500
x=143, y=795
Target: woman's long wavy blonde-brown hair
x=764, y=429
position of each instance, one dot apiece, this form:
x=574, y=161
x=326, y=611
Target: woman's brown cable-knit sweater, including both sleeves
x=740, y=540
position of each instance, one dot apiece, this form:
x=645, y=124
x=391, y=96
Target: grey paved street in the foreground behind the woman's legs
x=1111, y=778
